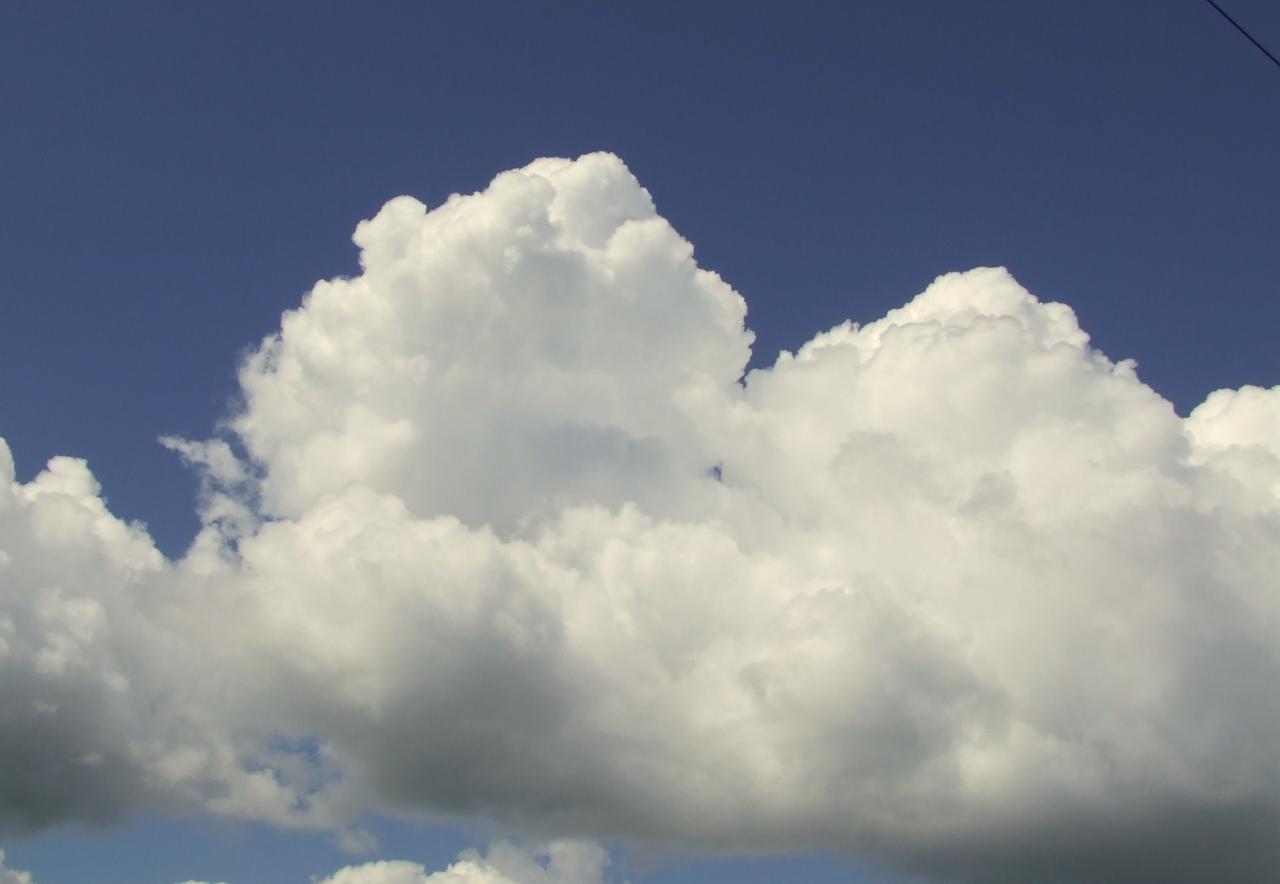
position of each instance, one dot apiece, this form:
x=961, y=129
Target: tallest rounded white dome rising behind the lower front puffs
x=534, y=338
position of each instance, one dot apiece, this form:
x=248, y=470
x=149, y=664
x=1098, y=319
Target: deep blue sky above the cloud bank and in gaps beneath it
x=176, y=176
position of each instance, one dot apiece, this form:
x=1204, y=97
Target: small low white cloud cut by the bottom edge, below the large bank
x=560, y=863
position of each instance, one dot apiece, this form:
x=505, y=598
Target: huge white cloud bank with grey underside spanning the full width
x=510, y=535
